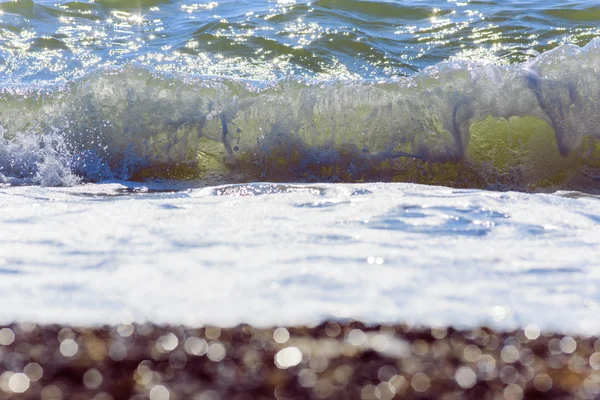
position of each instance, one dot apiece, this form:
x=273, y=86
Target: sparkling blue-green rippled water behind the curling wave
x=63, y=40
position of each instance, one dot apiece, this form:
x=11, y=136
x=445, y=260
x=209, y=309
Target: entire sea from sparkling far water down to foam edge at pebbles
x=284, y=162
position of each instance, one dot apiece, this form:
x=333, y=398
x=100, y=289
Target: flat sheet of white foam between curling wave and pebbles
x=283, y=254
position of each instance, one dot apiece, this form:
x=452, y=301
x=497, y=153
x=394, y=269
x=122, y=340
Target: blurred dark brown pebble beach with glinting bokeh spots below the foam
x=333, y=360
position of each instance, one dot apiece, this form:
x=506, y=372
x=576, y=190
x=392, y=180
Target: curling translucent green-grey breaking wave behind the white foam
x=527, y=126
